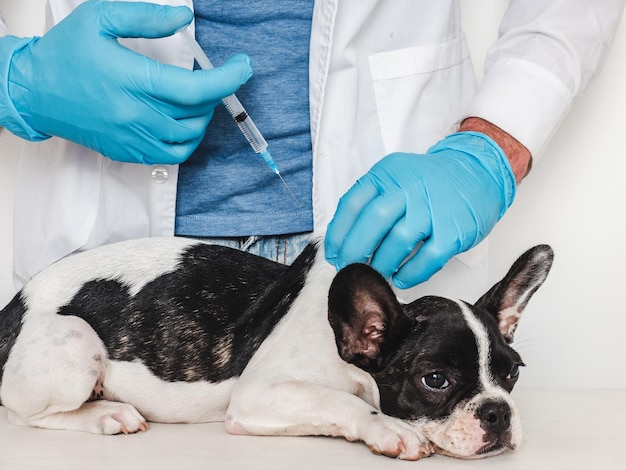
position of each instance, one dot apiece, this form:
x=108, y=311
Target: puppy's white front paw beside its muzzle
x=395, y=438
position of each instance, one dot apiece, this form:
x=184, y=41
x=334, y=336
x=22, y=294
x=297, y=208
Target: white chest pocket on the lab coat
x=421, y=92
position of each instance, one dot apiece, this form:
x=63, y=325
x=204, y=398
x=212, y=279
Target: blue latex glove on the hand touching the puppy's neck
x=449, y=199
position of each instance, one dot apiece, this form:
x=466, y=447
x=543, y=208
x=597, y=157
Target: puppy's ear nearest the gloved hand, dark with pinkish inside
x=367, y=318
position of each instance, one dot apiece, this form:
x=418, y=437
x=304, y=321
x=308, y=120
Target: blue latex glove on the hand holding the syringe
x=79, y=83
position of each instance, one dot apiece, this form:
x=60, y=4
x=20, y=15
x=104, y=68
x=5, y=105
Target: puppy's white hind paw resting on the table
x=116, y=418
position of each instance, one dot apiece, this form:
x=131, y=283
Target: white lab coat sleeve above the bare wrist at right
x=546, y=55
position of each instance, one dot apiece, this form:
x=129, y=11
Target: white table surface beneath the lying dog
x=564, y=429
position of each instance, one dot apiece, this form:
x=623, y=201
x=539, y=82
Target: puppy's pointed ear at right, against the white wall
x=507, y=299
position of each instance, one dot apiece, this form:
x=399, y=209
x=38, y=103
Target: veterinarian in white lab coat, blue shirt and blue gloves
x=339, y=90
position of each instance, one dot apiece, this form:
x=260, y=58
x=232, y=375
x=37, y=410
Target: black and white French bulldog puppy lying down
x=174, y=330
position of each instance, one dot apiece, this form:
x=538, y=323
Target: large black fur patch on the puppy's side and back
x=202, y=321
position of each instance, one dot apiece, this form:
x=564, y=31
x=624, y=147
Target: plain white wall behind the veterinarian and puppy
x=572, y=334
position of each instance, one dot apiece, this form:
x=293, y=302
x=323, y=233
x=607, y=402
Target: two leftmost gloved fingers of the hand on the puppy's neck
x=363, y=218
